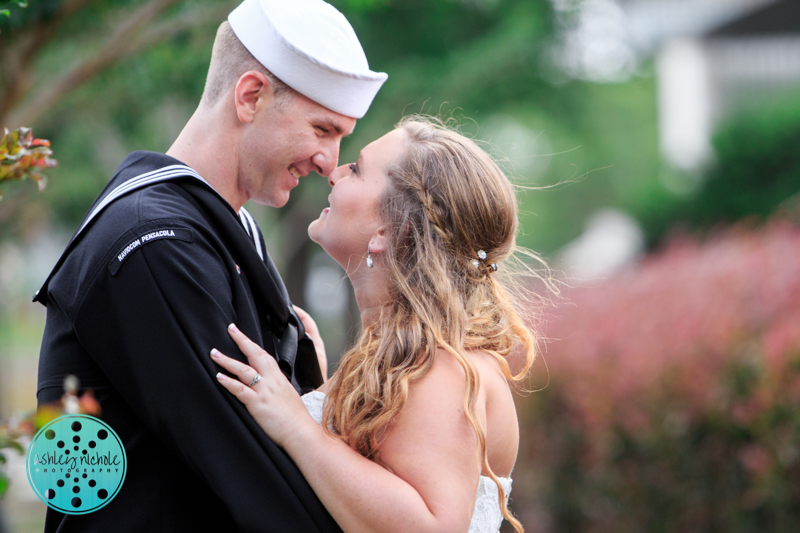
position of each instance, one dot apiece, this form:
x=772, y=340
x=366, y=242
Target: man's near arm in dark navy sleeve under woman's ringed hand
x=150, y=325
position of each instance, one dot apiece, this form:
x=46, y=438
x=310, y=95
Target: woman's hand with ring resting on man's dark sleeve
x=266, y=393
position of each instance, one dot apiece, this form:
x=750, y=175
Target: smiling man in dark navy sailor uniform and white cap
x=167, y=257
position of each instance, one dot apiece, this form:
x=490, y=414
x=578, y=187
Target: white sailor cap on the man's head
x=312, y=48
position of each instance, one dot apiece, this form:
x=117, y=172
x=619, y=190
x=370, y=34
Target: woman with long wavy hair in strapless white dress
x=418, y=427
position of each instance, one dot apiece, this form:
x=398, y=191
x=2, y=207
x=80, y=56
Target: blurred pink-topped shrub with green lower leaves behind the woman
x=674, y=401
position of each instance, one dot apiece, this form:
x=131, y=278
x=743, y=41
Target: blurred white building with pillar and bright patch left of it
x=710, y=56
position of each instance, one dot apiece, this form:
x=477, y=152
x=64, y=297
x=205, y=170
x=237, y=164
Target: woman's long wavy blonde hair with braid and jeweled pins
x=446, y=200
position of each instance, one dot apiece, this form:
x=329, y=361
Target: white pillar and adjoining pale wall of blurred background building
x=704, y=75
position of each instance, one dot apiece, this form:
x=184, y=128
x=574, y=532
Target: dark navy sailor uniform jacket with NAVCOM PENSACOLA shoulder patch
x=134, y=306
